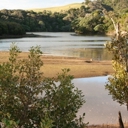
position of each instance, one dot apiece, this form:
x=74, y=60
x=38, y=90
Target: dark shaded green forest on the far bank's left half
x=31, y=21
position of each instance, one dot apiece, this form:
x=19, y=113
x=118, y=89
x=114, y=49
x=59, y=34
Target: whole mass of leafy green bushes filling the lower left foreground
x=29, y=100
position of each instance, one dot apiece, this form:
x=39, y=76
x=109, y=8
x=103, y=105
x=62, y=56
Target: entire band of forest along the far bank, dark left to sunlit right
x=93, y=17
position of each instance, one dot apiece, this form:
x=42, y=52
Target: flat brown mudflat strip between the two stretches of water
x=79, y=67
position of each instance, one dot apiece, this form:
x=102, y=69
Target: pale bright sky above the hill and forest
x=28, y=4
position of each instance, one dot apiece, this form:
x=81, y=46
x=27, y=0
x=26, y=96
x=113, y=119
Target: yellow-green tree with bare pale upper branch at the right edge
x=118, y=82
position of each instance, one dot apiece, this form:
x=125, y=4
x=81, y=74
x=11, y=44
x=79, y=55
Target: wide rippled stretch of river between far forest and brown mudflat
x=64, y=44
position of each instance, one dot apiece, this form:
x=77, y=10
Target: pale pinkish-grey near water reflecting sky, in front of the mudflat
x=99, y=106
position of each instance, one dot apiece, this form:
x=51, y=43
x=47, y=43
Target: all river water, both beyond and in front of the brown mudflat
x=99, y=106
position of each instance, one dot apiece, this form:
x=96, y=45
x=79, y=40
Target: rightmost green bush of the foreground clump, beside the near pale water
x=63, y=111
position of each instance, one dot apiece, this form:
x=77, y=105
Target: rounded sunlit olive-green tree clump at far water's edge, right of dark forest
x=90, y=24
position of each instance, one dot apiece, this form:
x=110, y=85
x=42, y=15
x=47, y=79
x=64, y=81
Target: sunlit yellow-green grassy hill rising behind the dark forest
x=58, y=8
